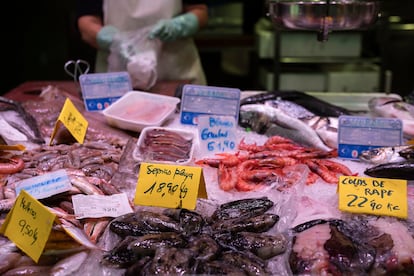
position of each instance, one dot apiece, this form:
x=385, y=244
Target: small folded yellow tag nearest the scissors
x=73, y=120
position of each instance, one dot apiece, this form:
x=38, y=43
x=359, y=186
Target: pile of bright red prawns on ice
x=254, y=166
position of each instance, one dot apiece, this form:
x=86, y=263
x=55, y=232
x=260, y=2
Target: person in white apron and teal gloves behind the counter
x=173, y=22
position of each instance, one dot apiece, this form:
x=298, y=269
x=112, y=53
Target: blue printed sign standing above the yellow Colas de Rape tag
x=358, y=133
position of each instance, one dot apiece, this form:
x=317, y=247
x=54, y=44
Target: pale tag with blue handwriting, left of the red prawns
x=217, y=134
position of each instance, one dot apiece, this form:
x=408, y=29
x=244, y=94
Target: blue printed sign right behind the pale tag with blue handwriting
x=199, y=100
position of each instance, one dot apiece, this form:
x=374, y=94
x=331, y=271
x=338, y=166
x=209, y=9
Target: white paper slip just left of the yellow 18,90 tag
x=98, y=206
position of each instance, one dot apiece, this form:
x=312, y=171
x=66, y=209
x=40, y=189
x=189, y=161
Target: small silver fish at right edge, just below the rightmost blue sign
x=382, y=155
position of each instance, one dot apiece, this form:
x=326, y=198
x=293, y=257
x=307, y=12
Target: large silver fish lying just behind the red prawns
x=272, y=121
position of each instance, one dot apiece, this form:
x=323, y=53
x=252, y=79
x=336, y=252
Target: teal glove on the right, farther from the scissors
x=171, y=29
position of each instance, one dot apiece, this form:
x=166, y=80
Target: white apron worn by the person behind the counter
x=179, y=60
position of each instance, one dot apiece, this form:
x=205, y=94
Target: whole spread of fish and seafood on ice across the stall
x=271, y=206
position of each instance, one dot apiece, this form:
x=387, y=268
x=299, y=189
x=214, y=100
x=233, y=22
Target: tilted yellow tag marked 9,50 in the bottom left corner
x=28, y=225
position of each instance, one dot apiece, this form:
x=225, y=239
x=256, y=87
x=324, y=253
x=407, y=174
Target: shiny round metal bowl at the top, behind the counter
x=323, y=16
